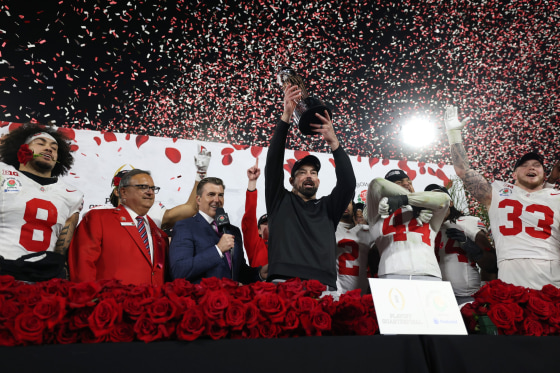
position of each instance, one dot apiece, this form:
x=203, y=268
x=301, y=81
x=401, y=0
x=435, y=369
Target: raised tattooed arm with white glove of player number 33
x=474, y=182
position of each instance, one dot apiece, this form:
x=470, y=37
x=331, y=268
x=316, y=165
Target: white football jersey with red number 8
x=32, y=215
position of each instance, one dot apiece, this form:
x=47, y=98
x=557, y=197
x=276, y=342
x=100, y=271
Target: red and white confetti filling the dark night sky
x=206, y=70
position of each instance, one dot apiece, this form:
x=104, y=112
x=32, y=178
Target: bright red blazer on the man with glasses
x=106, y=245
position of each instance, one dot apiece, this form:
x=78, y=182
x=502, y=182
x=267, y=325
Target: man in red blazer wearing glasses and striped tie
x=121, y=243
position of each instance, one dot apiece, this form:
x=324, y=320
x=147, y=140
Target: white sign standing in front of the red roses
x=416, y=307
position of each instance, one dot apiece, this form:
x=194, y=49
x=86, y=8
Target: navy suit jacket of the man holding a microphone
x=193, y=254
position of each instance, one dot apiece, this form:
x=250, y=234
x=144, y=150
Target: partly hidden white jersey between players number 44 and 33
x=455, y=267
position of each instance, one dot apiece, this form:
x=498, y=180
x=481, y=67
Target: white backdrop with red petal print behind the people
x=99, y=156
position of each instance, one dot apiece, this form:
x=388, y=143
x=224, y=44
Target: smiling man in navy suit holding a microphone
x=198, y=249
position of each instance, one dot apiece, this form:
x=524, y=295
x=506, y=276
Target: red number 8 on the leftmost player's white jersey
x=41, y=228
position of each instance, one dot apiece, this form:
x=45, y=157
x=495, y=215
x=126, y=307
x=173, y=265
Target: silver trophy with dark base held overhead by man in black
x=305, y=110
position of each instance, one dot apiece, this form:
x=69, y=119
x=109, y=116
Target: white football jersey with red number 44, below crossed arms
x=405, y=247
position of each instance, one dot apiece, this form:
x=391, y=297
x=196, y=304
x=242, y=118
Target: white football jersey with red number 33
x=525, y=225
